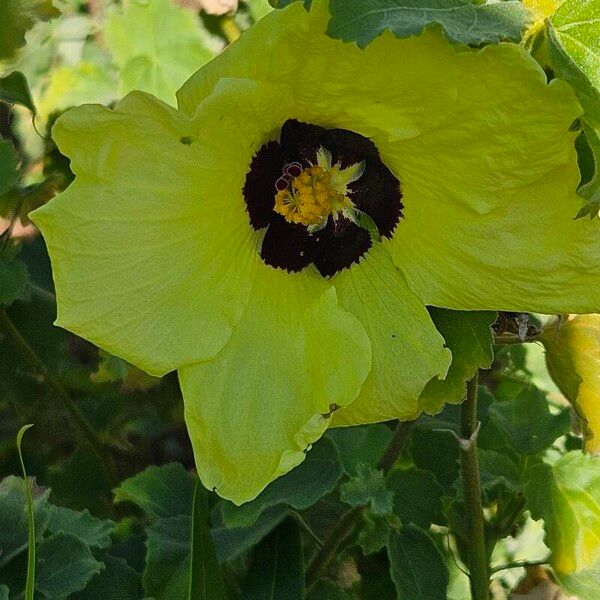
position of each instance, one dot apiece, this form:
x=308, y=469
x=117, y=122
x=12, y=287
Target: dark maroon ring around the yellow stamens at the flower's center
x=340, y=242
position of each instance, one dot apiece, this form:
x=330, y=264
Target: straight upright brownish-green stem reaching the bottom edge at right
x=477, y=558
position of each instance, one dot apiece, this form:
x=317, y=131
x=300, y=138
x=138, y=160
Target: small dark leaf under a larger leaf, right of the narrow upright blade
x=231, y=542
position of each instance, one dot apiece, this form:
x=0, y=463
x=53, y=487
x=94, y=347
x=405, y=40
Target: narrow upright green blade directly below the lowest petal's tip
x=206, y=580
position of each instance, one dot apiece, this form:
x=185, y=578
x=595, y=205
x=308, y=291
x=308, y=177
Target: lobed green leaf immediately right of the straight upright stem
x=525, y=422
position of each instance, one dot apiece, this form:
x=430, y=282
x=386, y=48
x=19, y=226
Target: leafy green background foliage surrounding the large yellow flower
x=110, y=464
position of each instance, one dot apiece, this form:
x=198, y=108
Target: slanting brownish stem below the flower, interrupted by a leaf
x=350, y=520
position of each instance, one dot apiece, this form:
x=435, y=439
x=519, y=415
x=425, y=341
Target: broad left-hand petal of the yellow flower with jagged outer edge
x=151, y=249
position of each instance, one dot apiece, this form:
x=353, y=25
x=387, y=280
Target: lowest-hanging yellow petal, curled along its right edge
x=294, y=359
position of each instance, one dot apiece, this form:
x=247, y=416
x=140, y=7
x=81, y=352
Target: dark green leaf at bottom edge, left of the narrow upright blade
x=117, y=581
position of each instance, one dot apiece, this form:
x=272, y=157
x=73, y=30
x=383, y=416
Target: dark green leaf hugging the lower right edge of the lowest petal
x=300, y=488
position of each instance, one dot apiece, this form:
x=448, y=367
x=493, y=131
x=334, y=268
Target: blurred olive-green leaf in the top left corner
x=17, y=17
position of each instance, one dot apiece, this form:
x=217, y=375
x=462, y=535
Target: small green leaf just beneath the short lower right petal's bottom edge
x=363, y=443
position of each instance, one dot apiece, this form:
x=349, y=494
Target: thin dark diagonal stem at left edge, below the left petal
x=57, y=391
